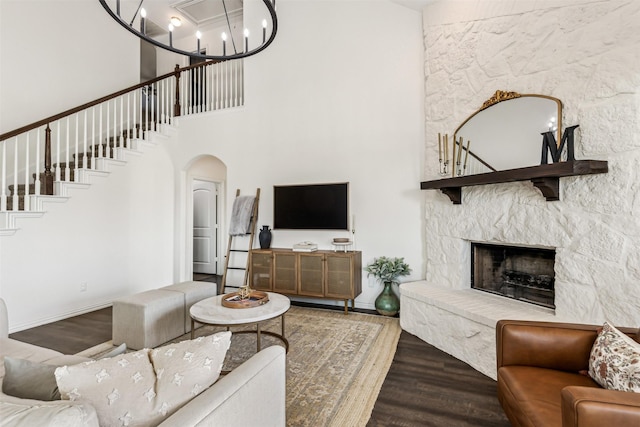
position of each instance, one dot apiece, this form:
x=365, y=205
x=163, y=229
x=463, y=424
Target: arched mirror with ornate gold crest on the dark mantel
x=506, y=132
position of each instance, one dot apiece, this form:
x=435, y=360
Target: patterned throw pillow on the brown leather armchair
x=614, y=362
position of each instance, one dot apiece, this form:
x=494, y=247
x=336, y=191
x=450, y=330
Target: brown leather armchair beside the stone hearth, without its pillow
x=542, y=378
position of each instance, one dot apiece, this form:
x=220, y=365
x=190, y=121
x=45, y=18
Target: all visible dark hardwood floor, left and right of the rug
x=424, y=386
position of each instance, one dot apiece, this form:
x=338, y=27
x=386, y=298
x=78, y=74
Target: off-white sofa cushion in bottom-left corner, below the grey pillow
x=50, y=414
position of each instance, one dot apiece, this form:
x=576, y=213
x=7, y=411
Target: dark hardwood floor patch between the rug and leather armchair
x=427, y=387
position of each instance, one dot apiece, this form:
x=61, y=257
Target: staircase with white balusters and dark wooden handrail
x=40, y=162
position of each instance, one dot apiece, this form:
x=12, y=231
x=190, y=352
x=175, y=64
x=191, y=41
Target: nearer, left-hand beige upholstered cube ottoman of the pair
x=148, y=319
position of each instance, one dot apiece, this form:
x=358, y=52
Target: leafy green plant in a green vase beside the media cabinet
x=387, y=270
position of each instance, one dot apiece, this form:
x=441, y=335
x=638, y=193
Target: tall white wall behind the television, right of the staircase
x=333, y=99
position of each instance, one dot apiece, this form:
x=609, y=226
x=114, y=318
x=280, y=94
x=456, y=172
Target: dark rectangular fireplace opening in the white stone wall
x=524, y=274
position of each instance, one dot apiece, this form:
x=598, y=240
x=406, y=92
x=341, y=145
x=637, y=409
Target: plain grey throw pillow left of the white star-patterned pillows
x=29, y=380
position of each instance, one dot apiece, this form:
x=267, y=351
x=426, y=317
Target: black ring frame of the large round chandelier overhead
x=129, y=26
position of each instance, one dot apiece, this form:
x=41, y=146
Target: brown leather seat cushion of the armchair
x=532, y=395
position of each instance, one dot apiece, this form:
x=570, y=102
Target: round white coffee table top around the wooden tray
x=212, y=312
